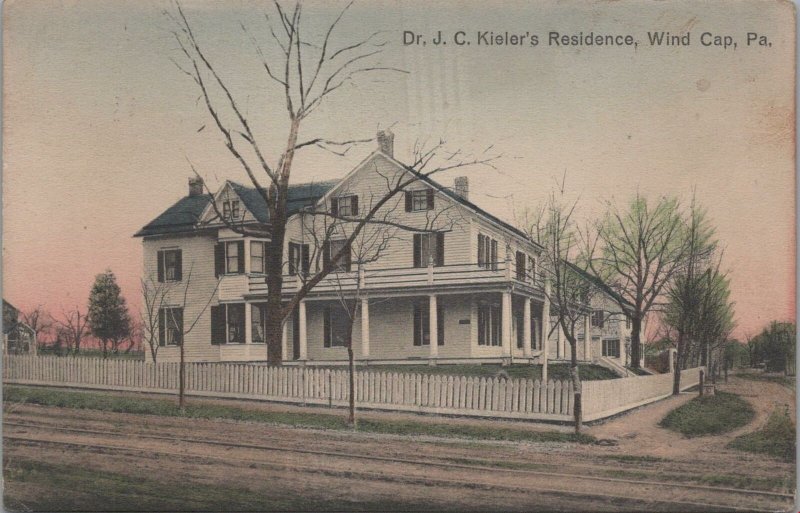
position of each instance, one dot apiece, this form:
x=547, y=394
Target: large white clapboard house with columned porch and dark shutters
x=464, y=288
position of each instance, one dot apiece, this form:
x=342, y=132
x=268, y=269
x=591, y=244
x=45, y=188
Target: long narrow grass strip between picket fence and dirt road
x=168, y=407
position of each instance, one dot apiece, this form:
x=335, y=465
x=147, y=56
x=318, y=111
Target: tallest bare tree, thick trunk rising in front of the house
x=305, y=73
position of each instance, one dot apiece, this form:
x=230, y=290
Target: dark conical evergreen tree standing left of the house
x=108, y=314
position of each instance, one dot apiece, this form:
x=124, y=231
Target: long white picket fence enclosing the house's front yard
x=454, y=395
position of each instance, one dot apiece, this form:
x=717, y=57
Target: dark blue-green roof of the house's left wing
x=184, y=215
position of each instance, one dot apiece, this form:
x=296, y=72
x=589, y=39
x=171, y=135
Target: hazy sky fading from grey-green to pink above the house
x=99, y=125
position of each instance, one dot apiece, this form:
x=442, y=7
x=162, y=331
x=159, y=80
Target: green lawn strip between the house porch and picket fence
x=555, y=371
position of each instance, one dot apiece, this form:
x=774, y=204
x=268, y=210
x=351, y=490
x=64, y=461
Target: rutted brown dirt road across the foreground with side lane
x=71, y=459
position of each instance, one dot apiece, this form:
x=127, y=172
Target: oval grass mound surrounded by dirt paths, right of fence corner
x=709, y=415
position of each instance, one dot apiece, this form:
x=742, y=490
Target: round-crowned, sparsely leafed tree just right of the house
x=640, y=251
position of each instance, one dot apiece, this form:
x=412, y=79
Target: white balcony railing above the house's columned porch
x=377, y=279
